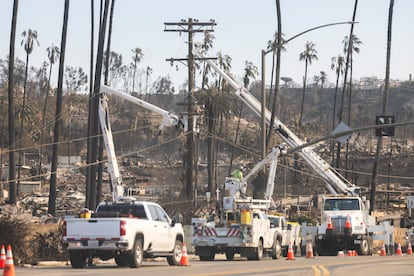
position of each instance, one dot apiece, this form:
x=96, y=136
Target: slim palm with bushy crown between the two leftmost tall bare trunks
x=29, y=37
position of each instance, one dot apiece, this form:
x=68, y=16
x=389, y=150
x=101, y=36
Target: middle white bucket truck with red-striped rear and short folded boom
x=241, y=224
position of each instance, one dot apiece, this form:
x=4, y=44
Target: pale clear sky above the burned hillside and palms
x=243, y=29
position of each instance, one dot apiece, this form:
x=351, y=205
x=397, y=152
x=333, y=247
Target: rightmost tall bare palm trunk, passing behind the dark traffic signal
x=384, y=107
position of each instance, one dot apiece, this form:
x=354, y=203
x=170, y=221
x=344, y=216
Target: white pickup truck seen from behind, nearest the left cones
x=128, y=231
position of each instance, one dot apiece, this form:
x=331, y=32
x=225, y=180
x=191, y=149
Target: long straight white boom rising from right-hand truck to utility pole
x=335, y=183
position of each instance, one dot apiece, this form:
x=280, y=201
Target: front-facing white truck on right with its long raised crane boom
x=340, y=227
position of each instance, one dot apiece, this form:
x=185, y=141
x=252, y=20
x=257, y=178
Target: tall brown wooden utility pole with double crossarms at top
x=188, y=27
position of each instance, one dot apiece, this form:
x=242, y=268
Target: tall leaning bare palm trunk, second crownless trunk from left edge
x=58, y=116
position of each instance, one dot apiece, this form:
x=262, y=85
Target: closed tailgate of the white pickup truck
x=93, y=228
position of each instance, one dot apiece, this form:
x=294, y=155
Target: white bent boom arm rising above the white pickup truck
x=169, y=119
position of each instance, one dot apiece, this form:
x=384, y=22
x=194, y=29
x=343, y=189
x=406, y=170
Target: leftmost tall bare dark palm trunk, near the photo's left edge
x=12, y=164
